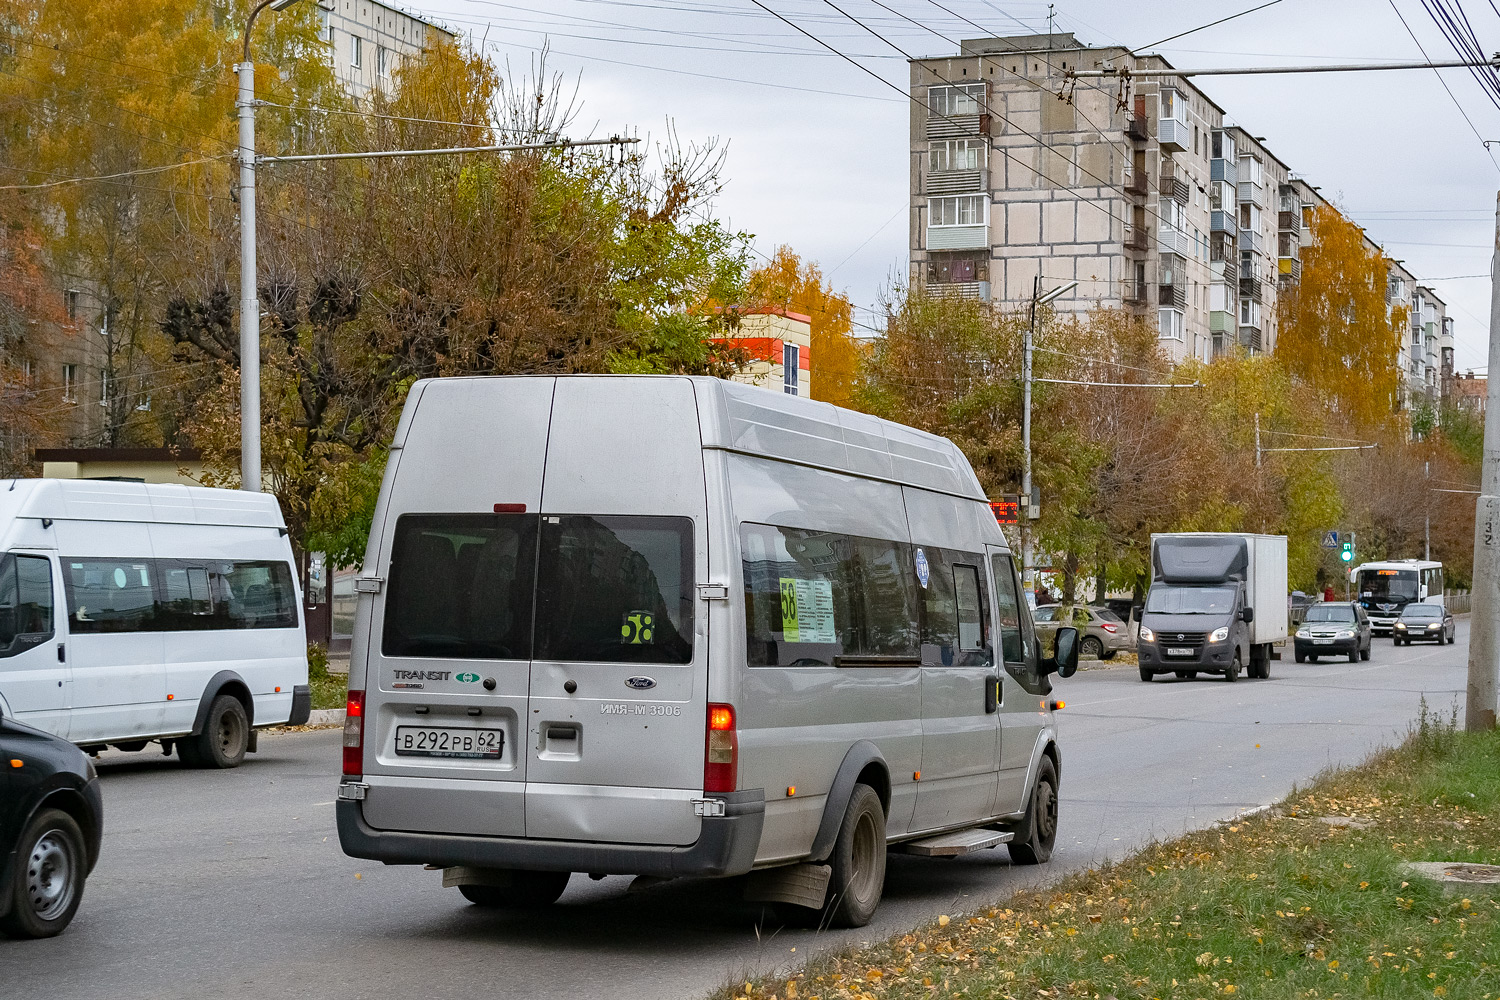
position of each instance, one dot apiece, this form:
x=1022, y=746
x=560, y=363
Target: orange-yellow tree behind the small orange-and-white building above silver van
x=799, y=286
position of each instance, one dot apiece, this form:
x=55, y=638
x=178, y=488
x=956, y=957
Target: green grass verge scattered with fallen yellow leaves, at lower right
x=1277, y=906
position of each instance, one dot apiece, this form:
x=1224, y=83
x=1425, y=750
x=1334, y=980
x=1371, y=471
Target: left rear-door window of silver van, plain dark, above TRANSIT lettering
x=461, y=587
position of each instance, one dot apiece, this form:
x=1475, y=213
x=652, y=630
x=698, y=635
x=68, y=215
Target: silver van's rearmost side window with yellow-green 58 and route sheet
x=823, y=599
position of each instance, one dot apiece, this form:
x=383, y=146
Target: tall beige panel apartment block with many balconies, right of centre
x=1139, y=190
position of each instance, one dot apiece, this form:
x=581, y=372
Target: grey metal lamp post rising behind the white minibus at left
x=250, y=301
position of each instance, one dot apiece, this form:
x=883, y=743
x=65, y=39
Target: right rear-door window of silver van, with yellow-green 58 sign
x=616, y=590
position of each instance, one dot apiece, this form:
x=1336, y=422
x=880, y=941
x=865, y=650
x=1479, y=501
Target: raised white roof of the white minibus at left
x=161, y=503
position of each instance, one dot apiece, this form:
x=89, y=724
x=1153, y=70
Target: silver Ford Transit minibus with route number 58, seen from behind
x=670, y=626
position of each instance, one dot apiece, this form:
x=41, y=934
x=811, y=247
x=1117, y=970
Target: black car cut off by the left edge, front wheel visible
x=52, y=821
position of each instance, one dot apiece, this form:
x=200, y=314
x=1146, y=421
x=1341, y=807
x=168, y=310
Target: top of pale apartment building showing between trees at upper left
x=368, y=41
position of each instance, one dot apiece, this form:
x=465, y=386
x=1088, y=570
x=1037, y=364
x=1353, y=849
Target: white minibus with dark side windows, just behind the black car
x=134, y=614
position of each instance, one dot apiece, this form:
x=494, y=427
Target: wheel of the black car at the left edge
x=47, y=882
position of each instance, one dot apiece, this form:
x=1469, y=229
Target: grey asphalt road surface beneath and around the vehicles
x=233, y=885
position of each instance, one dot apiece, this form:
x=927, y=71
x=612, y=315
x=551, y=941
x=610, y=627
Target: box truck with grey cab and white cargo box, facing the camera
x=1217, y=605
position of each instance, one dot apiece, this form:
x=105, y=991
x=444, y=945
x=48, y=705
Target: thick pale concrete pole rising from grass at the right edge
x=1484, y=624
